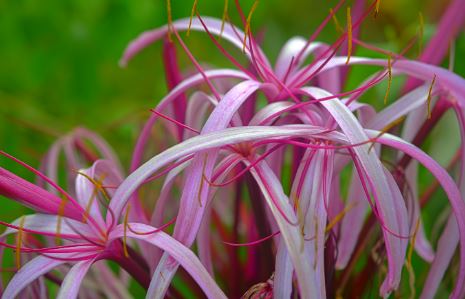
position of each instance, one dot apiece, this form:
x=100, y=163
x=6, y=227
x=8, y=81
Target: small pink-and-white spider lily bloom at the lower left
x=87, y=235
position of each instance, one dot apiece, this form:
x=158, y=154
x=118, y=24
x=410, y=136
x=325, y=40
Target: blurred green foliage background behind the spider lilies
x=59, y=62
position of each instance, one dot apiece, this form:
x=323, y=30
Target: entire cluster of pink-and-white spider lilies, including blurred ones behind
x=249, y=179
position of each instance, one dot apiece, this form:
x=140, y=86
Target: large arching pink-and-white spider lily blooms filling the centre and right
x=331, y=130
